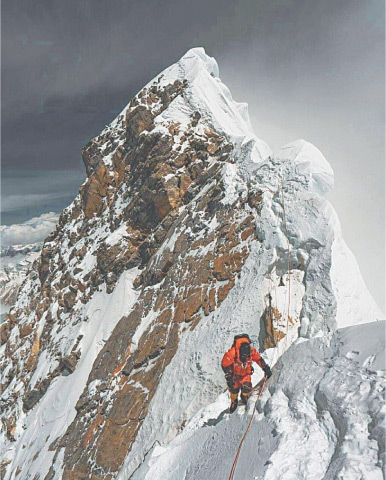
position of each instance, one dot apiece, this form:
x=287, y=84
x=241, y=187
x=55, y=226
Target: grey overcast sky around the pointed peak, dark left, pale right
x=307, y=69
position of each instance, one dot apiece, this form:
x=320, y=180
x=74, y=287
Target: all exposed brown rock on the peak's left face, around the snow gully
x=163, y=189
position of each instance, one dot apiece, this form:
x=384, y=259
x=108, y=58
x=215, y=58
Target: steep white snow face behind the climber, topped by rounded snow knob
x=287, y=288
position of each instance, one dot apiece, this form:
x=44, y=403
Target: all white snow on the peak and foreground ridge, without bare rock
x=322, y=413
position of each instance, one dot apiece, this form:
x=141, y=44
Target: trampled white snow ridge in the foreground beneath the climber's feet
x=321, y=417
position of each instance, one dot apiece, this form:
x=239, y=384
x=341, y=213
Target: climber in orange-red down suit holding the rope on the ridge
x=237, y=366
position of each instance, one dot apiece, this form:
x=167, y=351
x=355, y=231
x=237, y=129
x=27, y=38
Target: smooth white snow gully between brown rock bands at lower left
x=50, y=419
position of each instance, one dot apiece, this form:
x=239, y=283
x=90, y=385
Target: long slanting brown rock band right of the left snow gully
x=193, y=284
